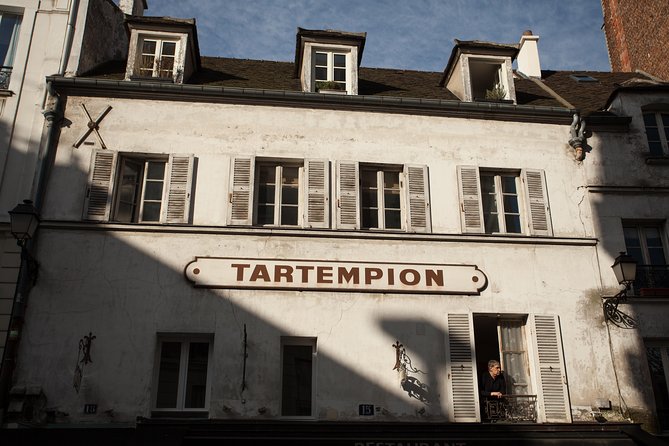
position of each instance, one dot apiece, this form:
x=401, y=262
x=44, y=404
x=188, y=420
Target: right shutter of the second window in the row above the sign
x=317, y=199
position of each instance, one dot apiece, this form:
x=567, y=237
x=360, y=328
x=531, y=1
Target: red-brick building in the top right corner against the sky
x=636, y=35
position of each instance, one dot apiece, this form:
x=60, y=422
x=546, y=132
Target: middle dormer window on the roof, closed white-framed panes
x=327, y=61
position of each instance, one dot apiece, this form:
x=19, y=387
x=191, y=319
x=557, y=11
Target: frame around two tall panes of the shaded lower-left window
x=185, y=340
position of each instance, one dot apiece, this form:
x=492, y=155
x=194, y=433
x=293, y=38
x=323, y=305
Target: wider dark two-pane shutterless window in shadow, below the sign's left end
x=183, y=373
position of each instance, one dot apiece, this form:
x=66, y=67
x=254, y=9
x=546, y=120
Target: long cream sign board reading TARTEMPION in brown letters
x=326, y=275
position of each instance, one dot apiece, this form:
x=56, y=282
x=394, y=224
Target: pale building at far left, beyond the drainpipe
x=38, y=39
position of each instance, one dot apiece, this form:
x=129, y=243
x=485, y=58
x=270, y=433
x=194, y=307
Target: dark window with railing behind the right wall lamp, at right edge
x=646, y=244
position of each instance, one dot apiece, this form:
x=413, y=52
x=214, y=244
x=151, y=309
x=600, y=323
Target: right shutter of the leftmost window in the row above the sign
x=178, y=187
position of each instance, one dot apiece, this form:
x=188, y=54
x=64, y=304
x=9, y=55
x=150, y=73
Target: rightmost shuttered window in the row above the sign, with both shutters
x=504, y=202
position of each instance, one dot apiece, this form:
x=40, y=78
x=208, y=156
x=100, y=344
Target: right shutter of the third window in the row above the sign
x=417, y=198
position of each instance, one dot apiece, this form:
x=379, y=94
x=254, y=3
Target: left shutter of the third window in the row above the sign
x=348, y=208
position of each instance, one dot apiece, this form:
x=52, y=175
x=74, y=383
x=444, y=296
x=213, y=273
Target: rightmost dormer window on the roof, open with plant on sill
x=481, y=71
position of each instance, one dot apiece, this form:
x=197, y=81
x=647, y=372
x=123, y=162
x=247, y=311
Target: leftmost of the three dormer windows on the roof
x=162, y=48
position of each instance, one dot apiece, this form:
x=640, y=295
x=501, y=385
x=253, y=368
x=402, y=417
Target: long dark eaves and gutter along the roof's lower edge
x=282, y=98
